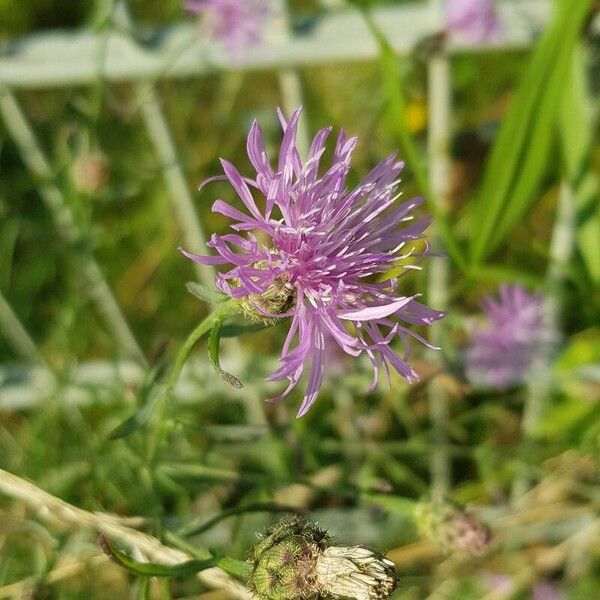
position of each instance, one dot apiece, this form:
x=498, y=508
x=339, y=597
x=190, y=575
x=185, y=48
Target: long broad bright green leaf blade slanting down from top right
x=522, y=151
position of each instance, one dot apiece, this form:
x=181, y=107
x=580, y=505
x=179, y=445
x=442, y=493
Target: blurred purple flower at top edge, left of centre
x=237, y=23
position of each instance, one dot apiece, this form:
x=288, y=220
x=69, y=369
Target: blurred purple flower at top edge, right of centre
x=474, y=21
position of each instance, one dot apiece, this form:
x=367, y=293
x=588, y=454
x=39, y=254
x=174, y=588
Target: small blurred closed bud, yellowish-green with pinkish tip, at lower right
x=451, y=527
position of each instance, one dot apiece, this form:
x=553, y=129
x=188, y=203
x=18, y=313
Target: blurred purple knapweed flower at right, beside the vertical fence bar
x=504, y=348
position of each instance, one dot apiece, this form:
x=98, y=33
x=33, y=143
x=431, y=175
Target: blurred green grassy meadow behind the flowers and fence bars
x=356, y=462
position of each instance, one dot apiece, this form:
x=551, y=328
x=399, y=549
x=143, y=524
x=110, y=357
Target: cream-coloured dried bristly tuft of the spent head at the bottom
x=355, y=572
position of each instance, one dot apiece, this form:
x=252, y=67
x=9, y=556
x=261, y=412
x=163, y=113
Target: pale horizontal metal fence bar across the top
x=51, y=60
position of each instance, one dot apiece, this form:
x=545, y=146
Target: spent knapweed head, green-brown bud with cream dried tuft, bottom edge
x=296, y=560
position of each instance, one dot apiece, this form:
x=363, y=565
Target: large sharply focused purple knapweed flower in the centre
x=321, y=256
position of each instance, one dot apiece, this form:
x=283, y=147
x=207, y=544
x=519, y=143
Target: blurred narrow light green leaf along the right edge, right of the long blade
x=577, y=143
